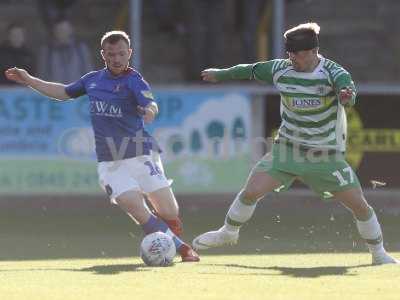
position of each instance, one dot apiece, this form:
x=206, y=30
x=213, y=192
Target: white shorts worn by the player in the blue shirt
x=142, y=173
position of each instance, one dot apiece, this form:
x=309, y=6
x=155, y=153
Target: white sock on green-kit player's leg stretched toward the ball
x=238, y=213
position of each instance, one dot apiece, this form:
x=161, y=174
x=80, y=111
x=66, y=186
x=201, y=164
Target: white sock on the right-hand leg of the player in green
x=371, y=232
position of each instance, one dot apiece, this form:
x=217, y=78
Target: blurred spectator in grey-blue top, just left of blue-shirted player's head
x=64, y=59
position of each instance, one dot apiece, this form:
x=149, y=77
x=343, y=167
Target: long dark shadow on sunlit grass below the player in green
x=312, y=272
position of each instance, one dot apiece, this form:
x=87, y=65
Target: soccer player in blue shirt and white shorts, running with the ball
x=129, y=164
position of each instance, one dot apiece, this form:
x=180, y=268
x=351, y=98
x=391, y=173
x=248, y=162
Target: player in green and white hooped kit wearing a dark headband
x=311, y=140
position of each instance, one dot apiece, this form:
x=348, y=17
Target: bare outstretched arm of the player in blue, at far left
x=51, y=89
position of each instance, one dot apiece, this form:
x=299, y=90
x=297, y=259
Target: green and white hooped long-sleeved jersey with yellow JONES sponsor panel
x=310, y=110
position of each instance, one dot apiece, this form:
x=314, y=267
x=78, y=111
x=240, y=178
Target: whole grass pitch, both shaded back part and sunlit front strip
x=93, y=255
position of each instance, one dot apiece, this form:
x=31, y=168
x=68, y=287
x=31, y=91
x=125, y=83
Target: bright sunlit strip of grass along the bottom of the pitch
x=289, y=276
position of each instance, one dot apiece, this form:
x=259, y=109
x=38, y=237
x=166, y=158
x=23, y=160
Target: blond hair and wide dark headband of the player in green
x=302, y=37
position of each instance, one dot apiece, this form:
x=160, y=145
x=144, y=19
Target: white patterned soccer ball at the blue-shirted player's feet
x=157, y=249
